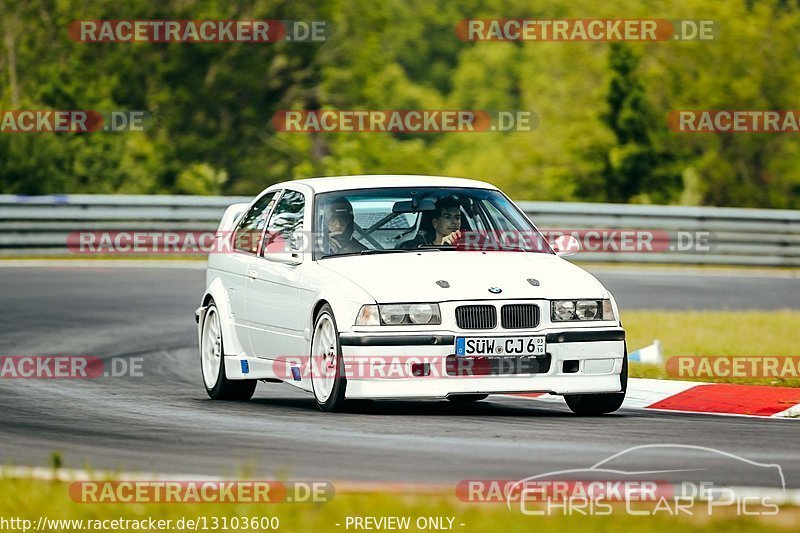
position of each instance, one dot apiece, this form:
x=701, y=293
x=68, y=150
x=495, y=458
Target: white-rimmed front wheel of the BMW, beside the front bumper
x=328, y=382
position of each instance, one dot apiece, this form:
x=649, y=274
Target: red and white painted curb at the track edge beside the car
x=697, y=397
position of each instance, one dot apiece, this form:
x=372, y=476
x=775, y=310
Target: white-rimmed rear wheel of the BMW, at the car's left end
x=212, y=366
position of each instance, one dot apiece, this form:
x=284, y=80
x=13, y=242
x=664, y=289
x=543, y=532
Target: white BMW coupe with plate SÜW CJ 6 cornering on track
x=387, y=287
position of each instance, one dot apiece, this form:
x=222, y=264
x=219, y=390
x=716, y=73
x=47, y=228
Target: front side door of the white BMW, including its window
x=273, y=294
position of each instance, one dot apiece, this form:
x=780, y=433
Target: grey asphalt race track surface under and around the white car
x=164, y=422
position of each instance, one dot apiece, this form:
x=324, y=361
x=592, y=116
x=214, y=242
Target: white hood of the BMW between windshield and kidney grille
x=413, y=276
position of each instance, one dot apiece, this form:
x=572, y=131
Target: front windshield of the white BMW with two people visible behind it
x=394, y=220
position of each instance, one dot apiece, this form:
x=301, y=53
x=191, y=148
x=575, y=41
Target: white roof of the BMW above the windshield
x=343, y=183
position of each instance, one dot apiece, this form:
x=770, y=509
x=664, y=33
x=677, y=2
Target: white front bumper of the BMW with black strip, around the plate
x=594, y=365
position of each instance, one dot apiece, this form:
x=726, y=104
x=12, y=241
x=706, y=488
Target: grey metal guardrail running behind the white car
x=39, y=225
